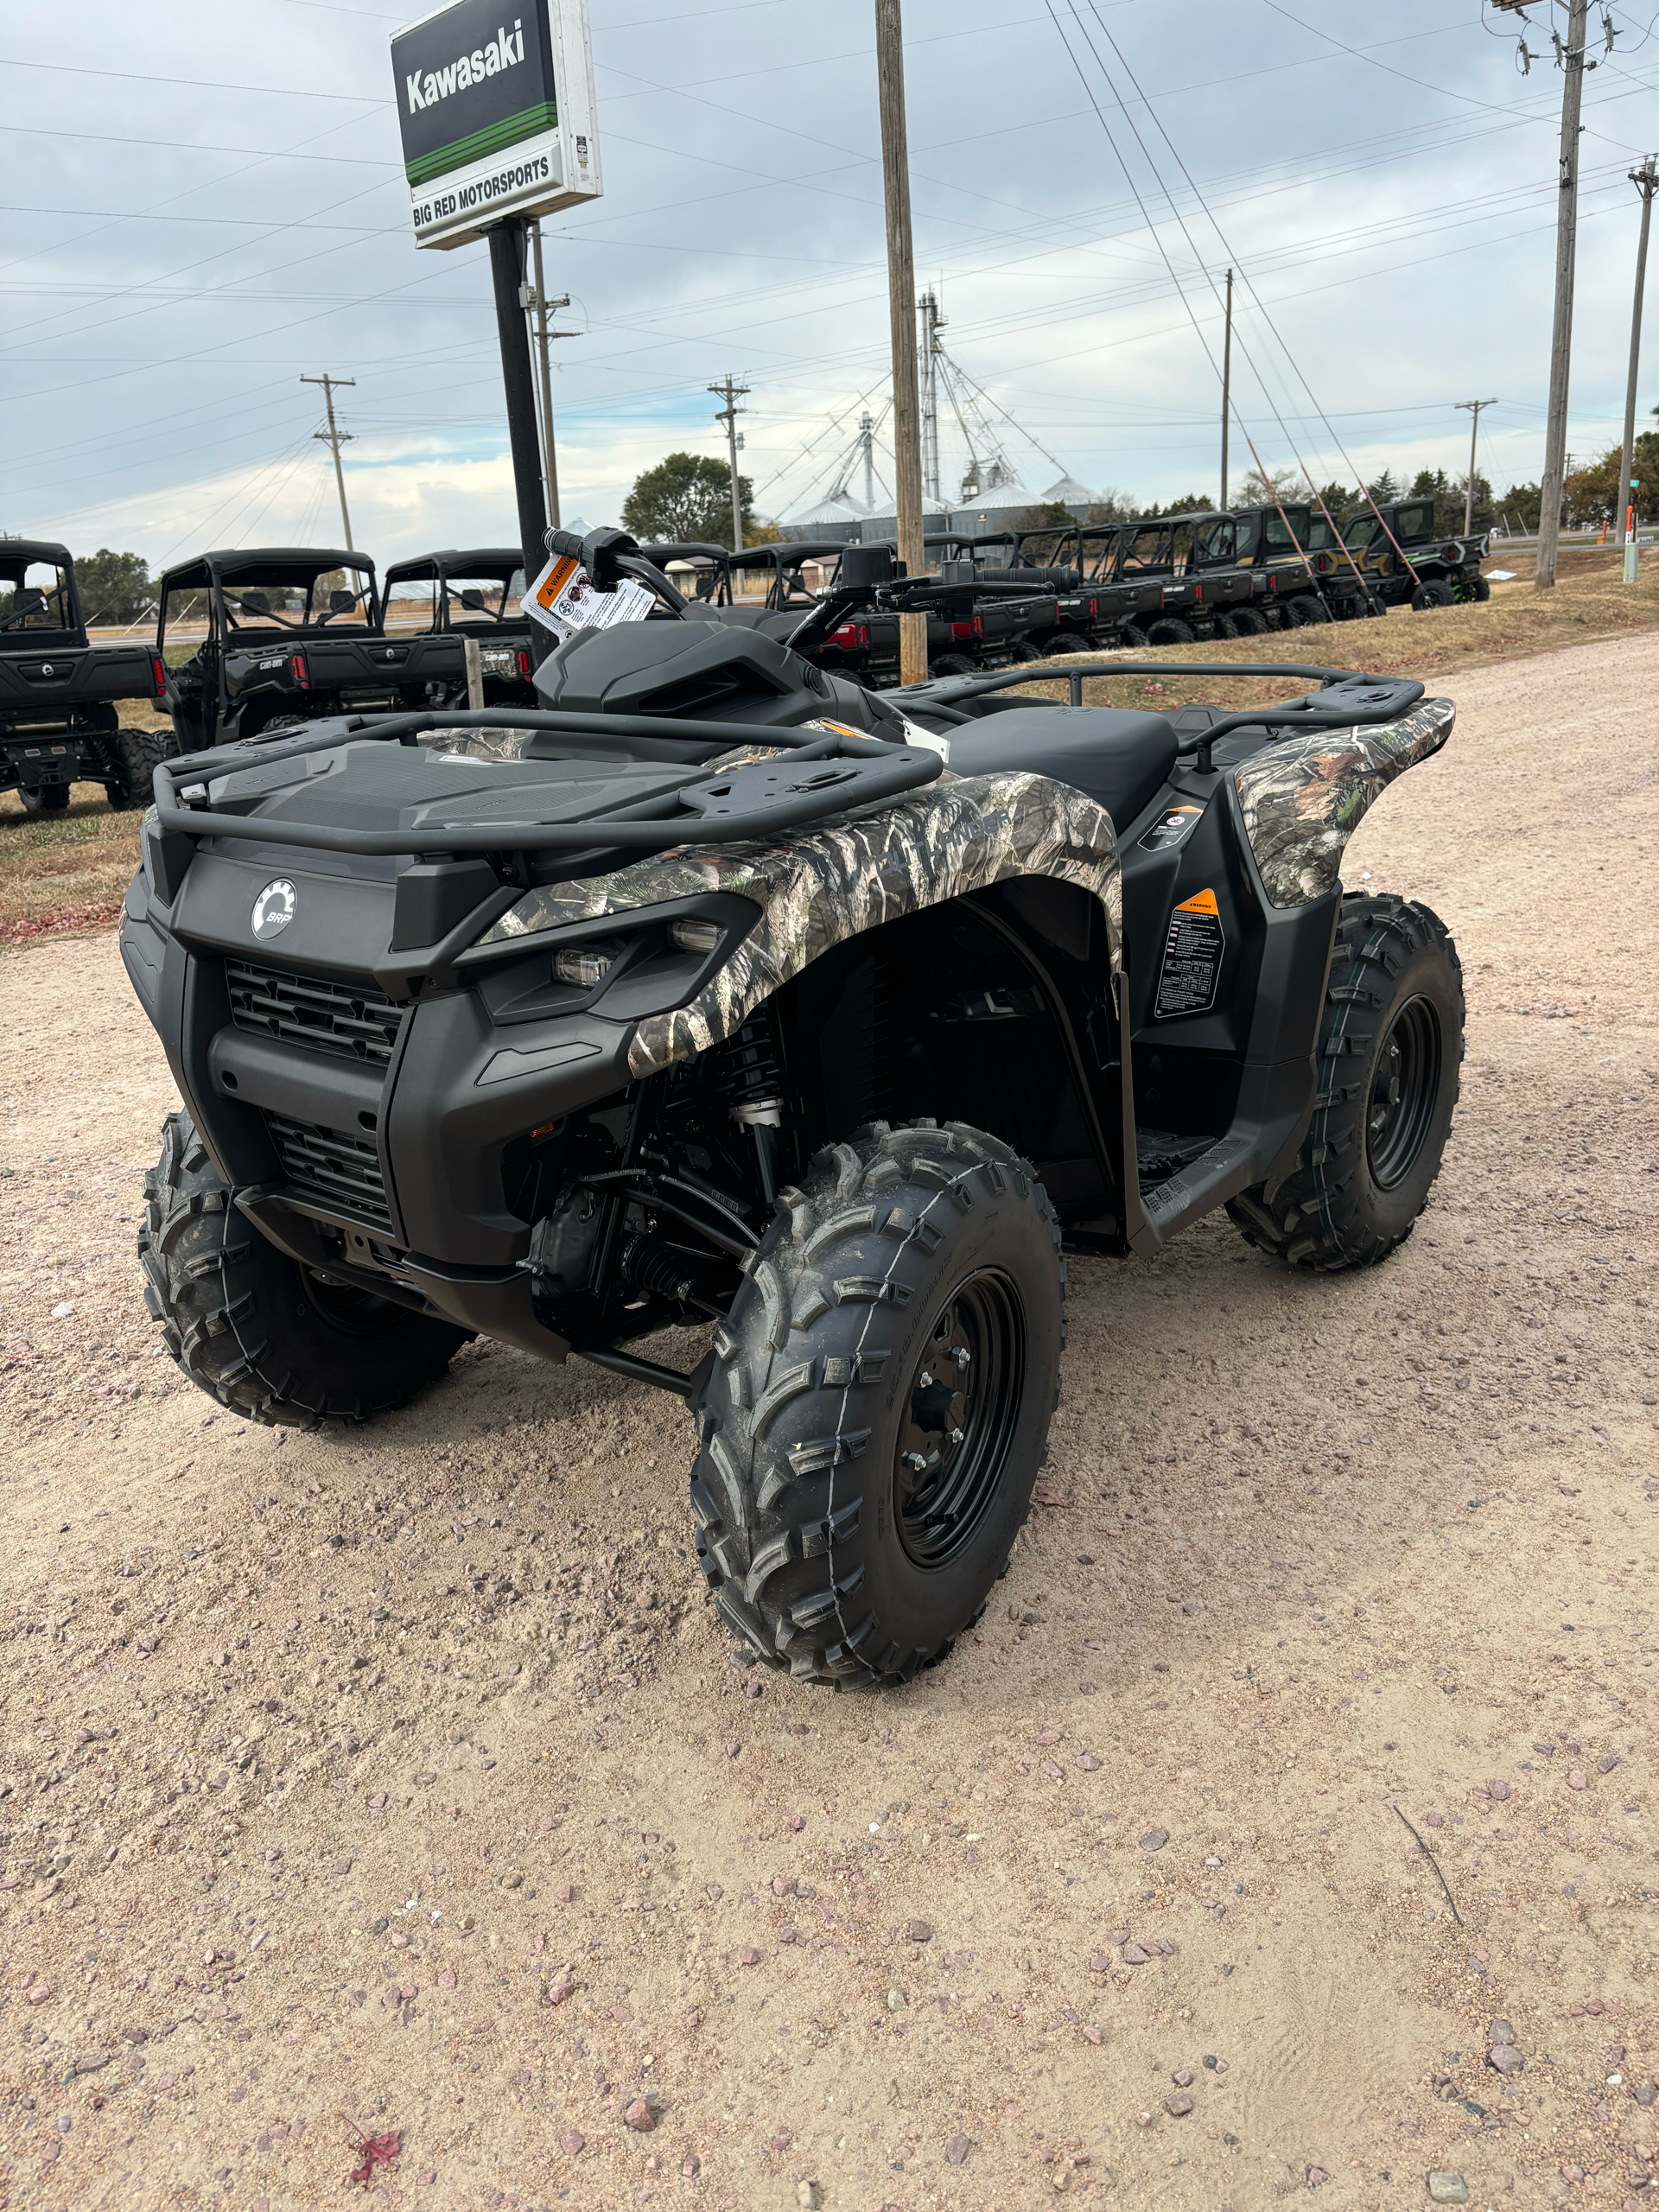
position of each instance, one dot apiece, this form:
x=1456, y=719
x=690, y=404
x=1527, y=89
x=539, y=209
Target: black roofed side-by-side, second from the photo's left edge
x=284, y=636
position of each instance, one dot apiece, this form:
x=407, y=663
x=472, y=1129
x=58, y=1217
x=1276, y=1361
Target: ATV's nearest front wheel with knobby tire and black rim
x=879, y=1404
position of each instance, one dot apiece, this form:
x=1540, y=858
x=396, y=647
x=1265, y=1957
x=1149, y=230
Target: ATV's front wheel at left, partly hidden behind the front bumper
x=255, y=1331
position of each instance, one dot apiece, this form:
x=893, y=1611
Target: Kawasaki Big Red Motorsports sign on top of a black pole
x=497, y=114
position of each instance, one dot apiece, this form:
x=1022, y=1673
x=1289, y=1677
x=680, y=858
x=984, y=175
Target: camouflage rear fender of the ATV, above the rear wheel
x=1306, y=797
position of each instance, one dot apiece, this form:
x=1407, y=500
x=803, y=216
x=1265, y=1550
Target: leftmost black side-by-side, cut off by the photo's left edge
x=59, y=691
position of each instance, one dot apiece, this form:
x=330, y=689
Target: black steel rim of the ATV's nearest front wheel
x=961, y=1412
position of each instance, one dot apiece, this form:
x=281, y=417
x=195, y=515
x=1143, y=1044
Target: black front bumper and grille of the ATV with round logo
x=366, y=1134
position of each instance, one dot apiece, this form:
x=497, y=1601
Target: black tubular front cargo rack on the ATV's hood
x=822, y=773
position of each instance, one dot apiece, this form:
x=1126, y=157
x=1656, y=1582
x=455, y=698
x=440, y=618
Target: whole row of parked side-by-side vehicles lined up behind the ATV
x=271, y=638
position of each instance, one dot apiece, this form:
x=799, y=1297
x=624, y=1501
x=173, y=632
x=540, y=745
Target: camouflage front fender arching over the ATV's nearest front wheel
x=826, y=886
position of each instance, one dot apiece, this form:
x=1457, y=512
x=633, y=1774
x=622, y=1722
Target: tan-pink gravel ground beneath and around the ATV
x=401, y=1780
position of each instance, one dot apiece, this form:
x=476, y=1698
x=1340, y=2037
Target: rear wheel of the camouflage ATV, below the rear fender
x=1388, y=1083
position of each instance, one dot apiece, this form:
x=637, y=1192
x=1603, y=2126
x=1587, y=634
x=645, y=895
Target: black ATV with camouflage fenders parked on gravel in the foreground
x=797, y=1027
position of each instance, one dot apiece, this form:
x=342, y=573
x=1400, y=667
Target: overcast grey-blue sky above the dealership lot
x=205, y=202
